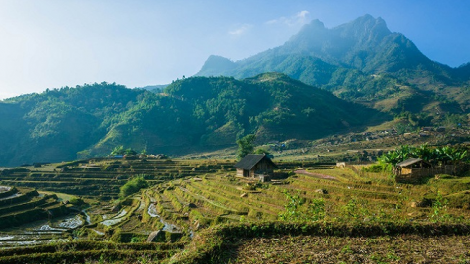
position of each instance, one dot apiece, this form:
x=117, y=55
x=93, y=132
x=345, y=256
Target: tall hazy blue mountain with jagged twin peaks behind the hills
x=361, y=61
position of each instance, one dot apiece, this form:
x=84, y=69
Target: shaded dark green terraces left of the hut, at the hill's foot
x=102, y=178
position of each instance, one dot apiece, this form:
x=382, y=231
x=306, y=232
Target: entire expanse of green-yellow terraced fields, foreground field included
x=199, y=212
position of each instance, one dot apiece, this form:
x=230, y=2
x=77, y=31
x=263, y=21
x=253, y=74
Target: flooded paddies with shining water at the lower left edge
x=41, y=232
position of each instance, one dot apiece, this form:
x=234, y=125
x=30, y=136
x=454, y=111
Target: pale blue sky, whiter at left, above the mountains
x=55, y=43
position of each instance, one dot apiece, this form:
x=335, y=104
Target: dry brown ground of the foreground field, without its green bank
x=316, y=249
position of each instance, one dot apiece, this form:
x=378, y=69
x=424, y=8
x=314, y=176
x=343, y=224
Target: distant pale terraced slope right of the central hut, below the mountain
x=365, y=147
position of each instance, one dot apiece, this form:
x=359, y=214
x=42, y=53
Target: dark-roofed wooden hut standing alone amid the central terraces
x=255, y=166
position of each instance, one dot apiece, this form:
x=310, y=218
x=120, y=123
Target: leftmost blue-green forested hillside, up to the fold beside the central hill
x=55, y=125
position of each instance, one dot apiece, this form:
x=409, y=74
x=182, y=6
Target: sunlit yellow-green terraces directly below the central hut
x=215, y=198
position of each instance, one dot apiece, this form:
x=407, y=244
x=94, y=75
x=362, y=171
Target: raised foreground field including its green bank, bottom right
x=330, y=242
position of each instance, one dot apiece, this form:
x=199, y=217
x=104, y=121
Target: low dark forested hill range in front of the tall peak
x=192, y=114
